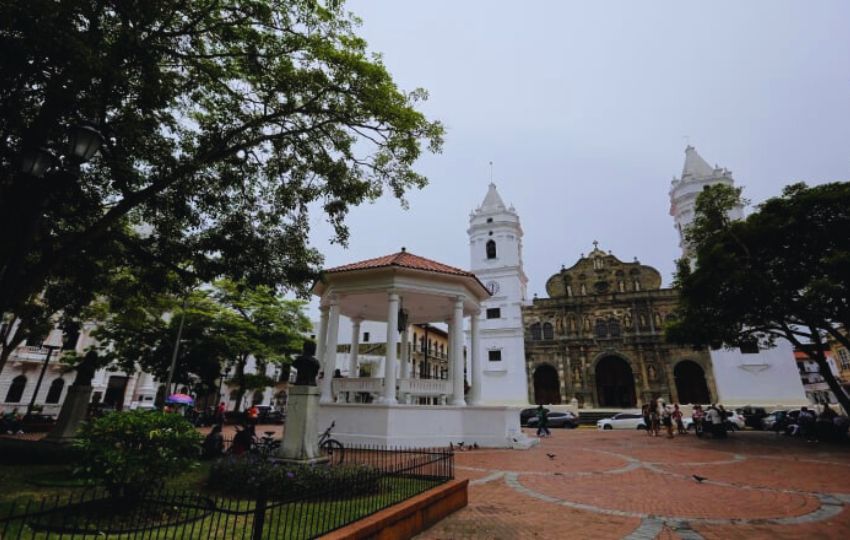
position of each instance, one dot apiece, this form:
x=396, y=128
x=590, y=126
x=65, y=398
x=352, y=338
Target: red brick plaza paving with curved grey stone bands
x=623, y=484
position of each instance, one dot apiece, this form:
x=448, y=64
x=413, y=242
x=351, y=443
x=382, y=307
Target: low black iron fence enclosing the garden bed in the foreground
x=389, y=476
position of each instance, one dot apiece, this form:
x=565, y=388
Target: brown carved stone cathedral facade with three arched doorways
x=599, y=338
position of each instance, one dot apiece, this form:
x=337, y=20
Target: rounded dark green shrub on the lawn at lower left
x=130, y=452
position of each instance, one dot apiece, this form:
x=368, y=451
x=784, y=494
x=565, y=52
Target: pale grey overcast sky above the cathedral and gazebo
x=584, y=108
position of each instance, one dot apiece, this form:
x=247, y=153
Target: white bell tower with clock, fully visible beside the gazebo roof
x=495, y=244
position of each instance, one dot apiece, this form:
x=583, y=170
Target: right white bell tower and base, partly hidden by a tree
x=758, y=377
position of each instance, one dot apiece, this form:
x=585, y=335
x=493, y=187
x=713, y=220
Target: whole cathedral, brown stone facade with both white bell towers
x=599, y=336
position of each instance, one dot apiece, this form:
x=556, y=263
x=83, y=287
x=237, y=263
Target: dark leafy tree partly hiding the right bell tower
x=783, y=273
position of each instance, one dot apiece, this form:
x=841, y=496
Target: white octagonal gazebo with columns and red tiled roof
x=402, y=289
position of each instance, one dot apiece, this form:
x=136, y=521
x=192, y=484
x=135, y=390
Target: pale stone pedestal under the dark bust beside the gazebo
x=301, y=435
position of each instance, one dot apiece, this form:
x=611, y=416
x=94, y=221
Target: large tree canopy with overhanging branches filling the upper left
x=224, y=122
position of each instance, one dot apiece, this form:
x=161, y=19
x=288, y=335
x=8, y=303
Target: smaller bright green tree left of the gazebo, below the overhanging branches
x=224, y=324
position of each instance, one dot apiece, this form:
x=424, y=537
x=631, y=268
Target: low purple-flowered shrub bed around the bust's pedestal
x=245, y=476
